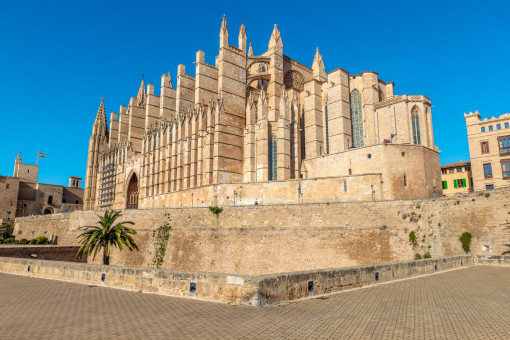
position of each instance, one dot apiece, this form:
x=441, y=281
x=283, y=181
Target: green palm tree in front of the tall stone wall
x=106, y=234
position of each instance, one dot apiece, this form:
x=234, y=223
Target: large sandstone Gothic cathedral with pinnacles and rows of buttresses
x=262, y=129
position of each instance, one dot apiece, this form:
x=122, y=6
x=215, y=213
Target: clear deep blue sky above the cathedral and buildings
x=57, y=59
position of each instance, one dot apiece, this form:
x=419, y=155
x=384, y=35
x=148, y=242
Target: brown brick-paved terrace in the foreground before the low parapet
x=472, y=303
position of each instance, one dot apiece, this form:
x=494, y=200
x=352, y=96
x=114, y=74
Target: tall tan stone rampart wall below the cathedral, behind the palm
x=255, y=240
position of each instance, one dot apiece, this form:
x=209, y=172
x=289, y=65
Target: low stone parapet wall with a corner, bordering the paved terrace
x=242, y=289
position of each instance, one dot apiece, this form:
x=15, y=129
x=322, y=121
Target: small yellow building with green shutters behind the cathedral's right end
x=457, y=178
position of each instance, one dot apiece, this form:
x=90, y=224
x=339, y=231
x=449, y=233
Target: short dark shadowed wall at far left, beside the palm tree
x=53, y=253
